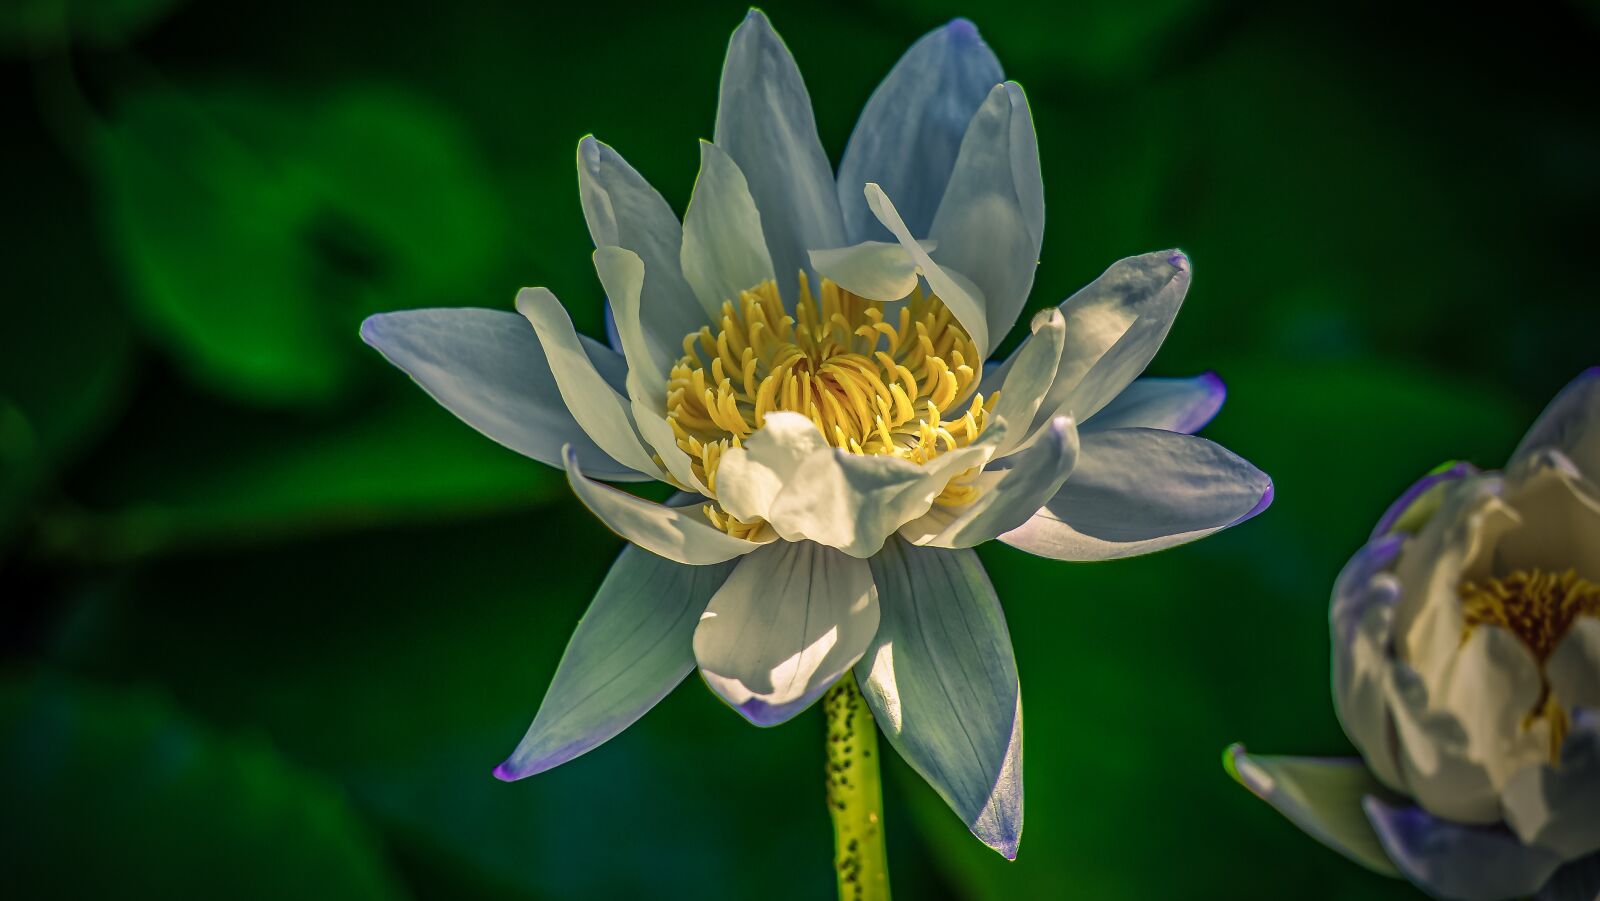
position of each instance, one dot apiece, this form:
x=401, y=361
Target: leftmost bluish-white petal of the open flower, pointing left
x=489, y=369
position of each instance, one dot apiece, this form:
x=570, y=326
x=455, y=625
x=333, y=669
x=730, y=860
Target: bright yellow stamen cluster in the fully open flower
x=874, y=378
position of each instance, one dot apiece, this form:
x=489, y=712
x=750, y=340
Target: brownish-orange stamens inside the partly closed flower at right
x=1540, y=609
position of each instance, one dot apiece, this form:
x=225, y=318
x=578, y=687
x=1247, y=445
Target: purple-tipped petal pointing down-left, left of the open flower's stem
x=630, y=651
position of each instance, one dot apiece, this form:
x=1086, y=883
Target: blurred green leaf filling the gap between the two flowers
x=1137, y=671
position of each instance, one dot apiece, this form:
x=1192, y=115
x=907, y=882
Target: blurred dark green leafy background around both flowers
x=271, y=617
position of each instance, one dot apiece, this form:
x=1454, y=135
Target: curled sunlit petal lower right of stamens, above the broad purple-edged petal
x=1009, y=497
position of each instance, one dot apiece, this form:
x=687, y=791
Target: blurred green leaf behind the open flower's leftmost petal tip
x=218, y=476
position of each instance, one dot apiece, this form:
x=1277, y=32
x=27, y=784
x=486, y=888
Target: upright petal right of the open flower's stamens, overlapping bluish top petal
x=991, y=222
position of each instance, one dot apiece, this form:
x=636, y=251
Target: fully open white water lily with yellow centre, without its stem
x=806, y=361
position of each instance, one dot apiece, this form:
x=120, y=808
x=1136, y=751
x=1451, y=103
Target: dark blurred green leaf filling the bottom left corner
x=116, y=796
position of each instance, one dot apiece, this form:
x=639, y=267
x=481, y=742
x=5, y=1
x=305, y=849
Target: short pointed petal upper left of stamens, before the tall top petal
x=724, y=246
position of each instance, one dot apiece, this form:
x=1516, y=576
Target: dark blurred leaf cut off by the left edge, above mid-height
x=66, y=342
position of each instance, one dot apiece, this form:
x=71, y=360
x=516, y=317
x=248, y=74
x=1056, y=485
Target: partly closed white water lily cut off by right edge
x=1466, y=671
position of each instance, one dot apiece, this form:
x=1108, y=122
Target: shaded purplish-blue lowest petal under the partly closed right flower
x=1465, y=863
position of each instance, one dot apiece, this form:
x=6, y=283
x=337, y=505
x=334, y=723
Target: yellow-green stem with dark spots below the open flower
x=855, y=795
